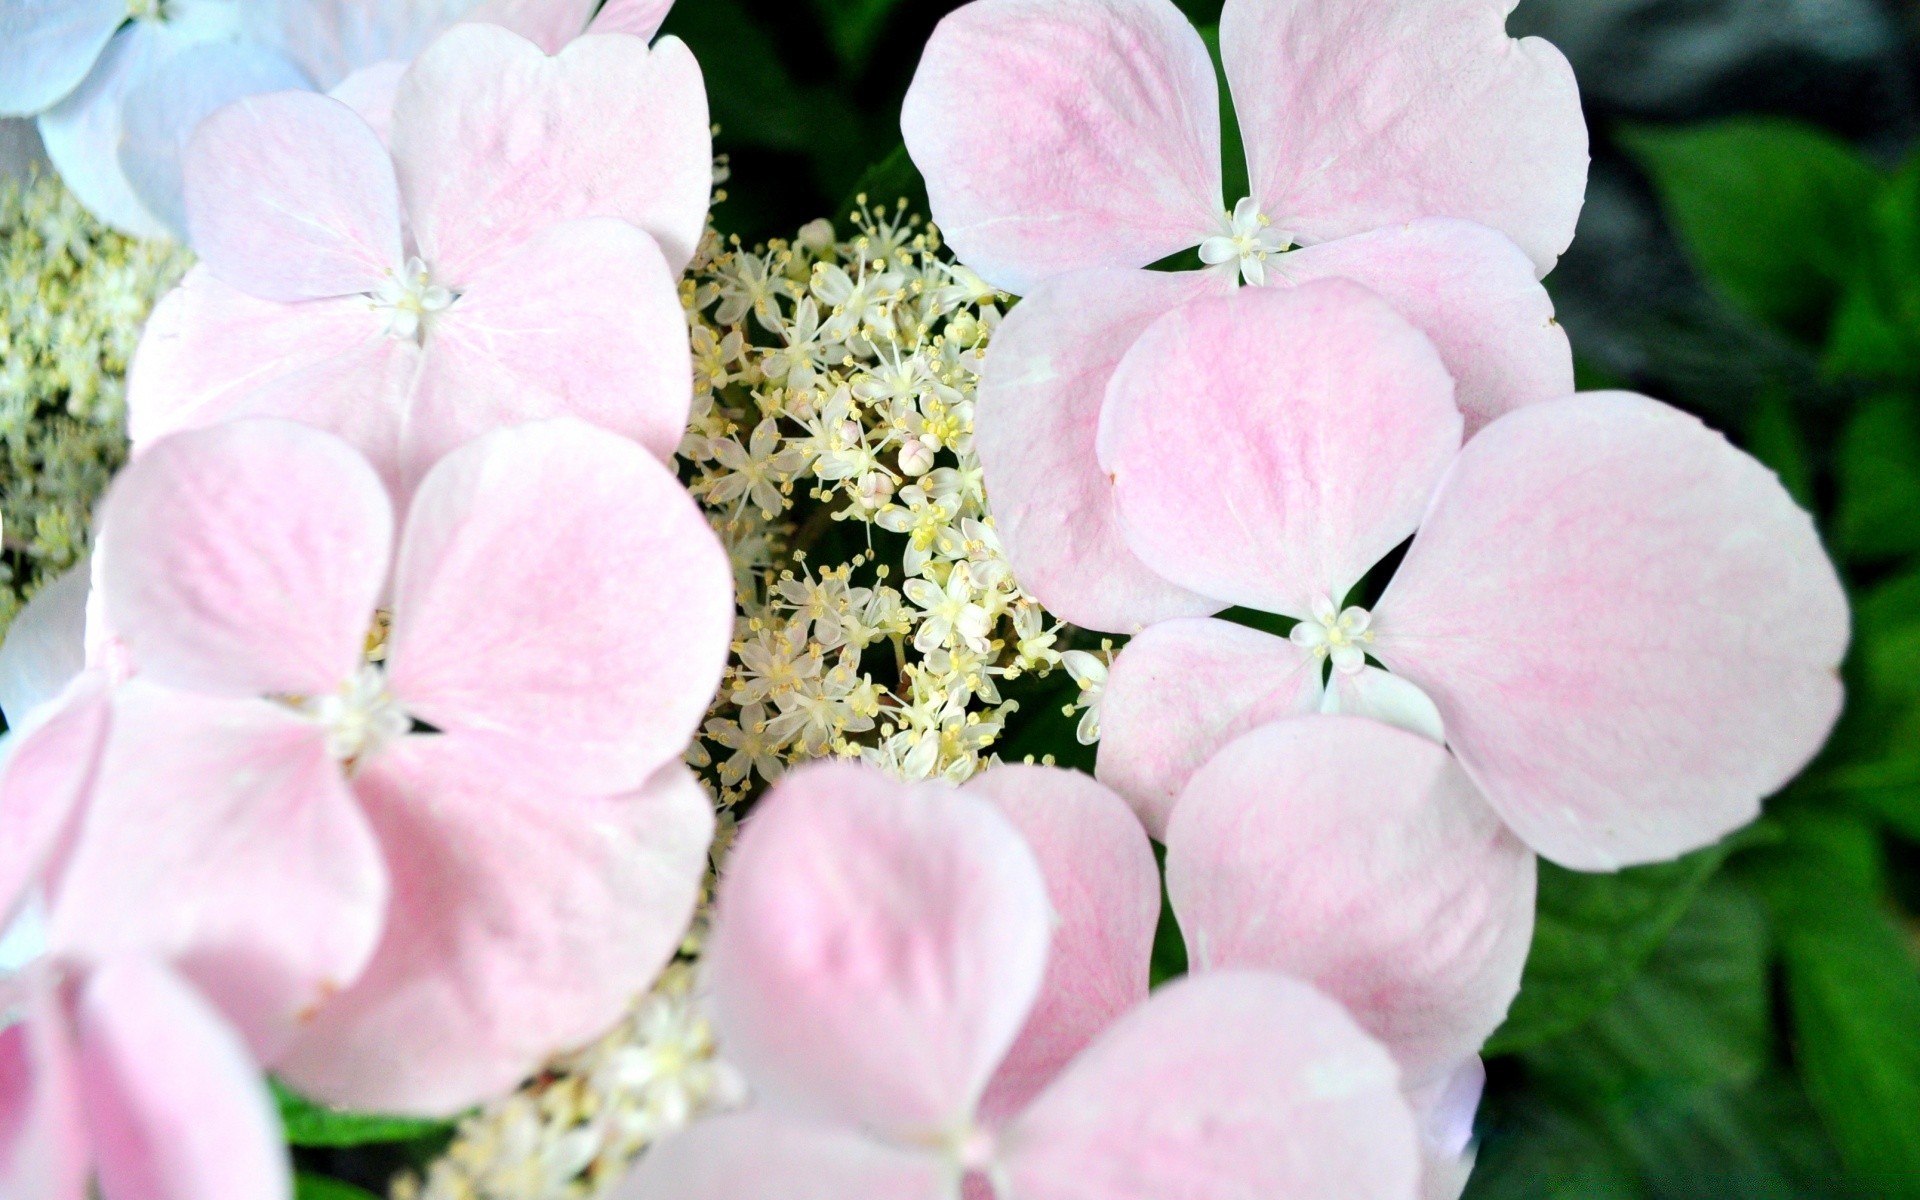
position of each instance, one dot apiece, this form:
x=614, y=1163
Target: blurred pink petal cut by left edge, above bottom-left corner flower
x=45, y=780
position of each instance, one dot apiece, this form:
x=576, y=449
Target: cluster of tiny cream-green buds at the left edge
x=72, y=302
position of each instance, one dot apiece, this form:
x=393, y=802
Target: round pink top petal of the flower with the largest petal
x=1268, y=477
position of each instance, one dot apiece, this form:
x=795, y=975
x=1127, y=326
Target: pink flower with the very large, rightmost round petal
x=1621, y=625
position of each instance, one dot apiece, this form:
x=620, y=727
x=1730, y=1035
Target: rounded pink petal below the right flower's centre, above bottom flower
x=1364, y=861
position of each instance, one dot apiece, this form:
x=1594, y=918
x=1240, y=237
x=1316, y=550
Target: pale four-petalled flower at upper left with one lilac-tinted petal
x=514, y=258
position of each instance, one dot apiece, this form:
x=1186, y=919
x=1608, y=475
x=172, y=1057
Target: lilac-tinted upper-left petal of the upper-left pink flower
x=291, y=197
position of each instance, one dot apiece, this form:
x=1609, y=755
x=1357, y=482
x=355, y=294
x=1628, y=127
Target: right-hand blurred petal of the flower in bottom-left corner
x=176, y=1107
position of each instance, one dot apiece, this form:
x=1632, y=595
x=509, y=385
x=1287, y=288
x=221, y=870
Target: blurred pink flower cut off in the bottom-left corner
x=124, y=1084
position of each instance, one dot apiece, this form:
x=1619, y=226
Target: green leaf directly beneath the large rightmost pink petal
x=1593, y=936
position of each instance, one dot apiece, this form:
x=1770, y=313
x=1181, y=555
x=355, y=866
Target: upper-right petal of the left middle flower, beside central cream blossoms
x=562, y=594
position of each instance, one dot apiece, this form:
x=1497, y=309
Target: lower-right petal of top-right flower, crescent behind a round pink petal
x=1472, y=293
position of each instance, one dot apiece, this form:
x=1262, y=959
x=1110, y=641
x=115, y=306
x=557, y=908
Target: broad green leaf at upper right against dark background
x=1771, y=212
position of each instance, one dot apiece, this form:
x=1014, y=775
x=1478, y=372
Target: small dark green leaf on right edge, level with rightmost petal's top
x=1879, y=469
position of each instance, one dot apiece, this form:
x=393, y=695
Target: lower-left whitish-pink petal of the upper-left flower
x=214, y=352
